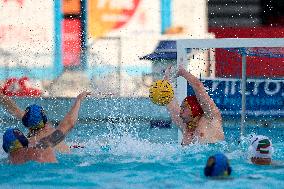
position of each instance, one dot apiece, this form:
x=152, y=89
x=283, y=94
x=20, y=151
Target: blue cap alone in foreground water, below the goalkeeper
x=217, y=165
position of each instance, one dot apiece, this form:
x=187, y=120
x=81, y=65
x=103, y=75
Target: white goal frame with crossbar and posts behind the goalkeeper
x=182, y=58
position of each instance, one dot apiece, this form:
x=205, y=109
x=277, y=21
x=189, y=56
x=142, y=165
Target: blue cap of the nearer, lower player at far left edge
x=14, y=139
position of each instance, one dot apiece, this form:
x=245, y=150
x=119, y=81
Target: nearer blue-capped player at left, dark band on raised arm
x=22, y=149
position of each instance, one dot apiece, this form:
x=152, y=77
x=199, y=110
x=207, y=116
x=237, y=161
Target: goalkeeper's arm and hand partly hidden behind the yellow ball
x=173, y=107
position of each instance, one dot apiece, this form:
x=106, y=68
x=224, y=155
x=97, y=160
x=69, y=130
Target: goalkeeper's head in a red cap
x=190, y=108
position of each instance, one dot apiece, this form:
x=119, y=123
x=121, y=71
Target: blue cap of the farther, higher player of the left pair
x=34, y=117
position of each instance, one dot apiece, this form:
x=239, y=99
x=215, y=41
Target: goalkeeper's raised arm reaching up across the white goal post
x=209, y=107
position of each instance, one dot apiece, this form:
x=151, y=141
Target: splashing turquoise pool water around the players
x=133, y=155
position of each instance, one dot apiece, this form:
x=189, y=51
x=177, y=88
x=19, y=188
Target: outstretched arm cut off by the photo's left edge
x=11, y=106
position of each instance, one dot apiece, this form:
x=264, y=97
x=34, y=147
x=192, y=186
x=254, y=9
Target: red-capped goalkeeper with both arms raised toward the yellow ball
x=198, y=117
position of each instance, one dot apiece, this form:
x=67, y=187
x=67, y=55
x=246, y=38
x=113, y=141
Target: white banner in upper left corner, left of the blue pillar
x=26, y=33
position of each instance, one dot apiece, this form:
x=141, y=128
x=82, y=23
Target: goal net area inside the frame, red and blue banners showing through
x=221, y=72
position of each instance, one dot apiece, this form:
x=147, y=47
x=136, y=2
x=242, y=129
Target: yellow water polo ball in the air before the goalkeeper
x=161, y=92
